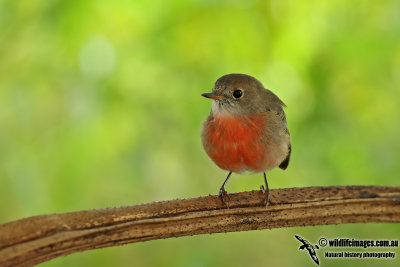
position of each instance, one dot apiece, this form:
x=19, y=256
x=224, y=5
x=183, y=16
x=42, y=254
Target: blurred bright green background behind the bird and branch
x=100, y=106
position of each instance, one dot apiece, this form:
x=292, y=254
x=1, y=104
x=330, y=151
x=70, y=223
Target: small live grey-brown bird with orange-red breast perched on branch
x=246, y=129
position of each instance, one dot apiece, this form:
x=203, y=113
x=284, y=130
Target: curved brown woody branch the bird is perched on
x=40, y=238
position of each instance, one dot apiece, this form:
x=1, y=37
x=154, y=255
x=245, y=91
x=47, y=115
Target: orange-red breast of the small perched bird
x=238, y=143
